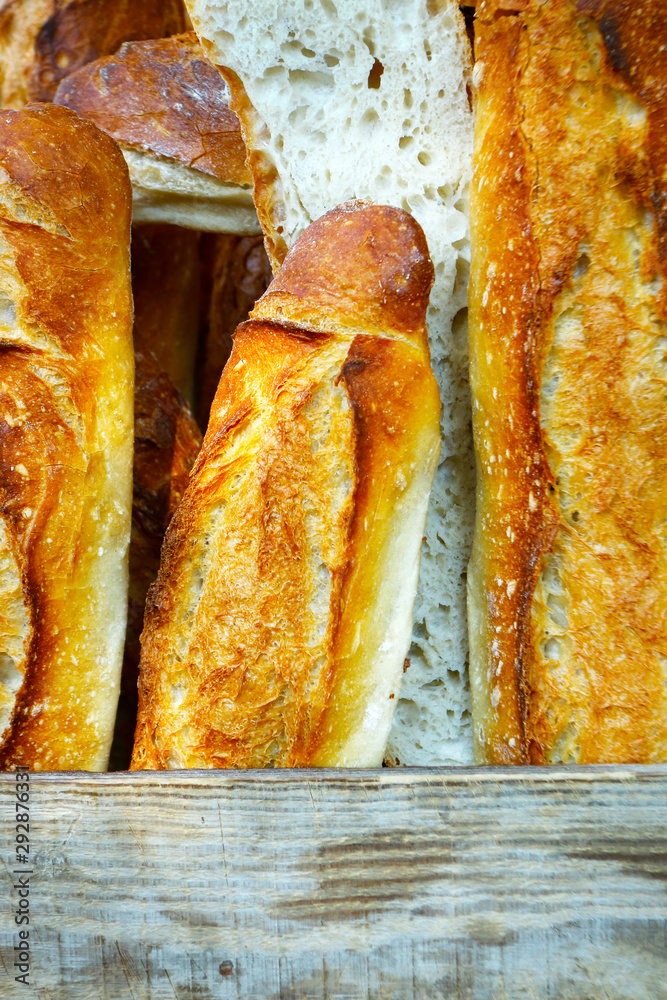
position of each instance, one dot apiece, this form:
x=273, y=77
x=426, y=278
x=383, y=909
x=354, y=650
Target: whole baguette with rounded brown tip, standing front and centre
x=276, y=631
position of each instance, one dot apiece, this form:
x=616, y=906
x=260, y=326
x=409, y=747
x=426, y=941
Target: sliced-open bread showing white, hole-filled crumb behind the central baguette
x=368, y=99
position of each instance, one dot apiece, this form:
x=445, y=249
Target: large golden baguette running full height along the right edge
x=568, y=304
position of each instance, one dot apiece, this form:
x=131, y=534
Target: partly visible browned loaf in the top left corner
x=43, y=41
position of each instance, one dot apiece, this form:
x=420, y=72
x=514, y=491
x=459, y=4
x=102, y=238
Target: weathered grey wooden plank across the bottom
x=469, y=883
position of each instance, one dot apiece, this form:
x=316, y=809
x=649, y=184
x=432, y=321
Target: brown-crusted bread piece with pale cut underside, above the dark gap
x=167, y=107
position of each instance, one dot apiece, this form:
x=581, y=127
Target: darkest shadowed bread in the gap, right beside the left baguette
x=165, y=287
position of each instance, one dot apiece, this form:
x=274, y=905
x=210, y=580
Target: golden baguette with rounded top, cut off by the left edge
x=66, y=388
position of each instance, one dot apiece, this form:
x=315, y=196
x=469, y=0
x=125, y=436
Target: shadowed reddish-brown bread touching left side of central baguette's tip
x=238, y=273
